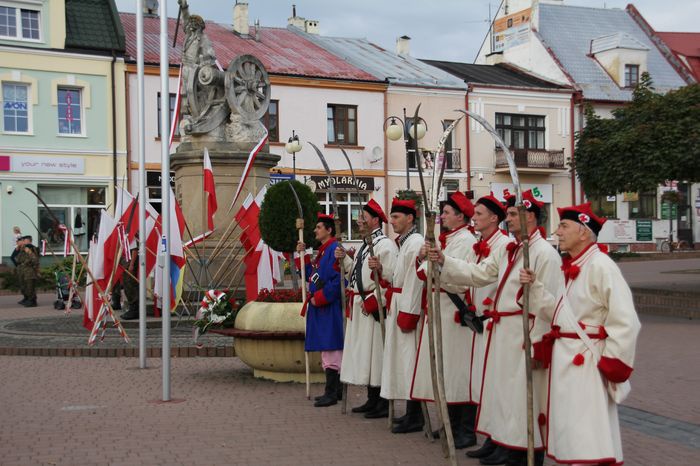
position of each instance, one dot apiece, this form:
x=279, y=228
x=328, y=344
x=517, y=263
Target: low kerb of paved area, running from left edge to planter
x=178, y=352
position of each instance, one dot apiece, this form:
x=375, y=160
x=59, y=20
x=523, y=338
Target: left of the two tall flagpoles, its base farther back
x=142, y=183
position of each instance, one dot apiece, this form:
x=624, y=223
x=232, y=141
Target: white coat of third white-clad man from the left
x=456, y=339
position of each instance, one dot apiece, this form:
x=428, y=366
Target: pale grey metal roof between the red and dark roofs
x=391, y=67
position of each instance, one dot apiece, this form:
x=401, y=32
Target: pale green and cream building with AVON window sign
x=63, y=129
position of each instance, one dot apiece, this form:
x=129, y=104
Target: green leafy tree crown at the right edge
x=653, y=139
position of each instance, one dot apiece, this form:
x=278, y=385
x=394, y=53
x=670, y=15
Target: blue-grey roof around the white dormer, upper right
x=568, y=32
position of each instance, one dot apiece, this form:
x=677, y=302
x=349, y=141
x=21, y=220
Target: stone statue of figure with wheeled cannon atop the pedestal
x=217, y=105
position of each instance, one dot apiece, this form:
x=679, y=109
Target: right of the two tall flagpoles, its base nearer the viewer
x=165, y=195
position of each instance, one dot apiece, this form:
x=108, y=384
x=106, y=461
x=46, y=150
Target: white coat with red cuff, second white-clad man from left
x=400, y=347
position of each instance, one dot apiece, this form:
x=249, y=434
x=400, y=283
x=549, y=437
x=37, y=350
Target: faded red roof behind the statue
x=280, y=50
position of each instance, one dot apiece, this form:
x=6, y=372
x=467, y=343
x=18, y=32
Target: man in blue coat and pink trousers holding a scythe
x=323, y=309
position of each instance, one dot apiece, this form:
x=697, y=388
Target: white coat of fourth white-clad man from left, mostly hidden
x=482, y=297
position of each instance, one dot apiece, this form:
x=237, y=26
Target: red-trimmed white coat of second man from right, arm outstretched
x=503, y=410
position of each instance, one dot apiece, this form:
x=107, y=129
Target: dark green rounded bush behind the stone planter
x=279, y=212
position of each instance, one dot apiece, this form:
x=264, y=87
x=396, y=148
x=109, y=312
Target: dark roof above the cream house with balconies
x=500, y=75
